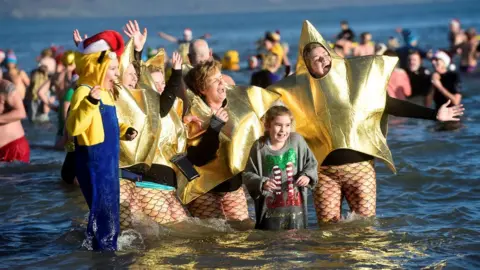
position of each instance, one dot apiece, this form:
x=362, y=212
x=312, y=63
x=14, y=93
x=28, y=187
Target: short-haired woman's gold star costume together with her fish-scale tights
x=245, y=107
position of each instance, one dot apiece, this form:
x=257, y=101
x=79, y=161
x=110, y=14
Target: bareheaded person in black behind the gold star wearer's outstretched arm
x=420, y=80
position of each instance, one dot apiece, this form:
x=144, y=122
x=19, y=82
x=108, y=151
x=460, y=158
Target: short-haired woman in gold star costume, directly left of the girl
x=218, y=192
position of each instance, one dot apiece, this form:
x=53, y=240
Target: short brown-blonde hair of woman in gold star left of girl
x=196, y=78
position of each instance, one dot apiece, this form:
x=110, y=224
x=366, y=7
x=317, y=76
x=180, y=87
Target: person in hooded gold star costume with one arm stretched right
x=342, y=107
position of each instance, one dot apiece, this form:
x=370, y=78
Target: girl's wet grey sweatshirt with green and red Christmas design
x=286, y=206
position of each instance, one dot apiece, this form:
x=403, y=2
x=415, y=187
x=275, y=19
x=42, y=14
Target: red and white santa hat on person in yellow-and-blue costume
x=103, y=41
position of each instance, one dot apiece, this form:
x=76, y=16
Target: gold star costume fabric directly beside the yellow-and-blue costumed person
x=138, y=108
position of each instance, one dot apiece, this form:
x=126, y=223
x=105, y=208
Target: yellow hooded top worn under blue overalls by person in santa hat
x=84, y=119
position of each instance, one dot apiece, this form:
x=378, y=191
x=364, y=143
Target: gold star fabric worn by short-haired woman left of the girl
x=245, y=107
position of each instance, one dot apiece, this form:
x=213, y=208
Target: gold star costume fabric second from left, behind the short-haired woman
x=173, y=137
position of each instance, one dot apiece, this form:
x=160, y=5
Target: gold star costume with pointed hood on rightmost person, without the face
x=343, y=109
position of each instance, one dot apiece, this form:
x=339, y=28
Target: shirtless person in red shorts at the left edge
x=13, y=144
